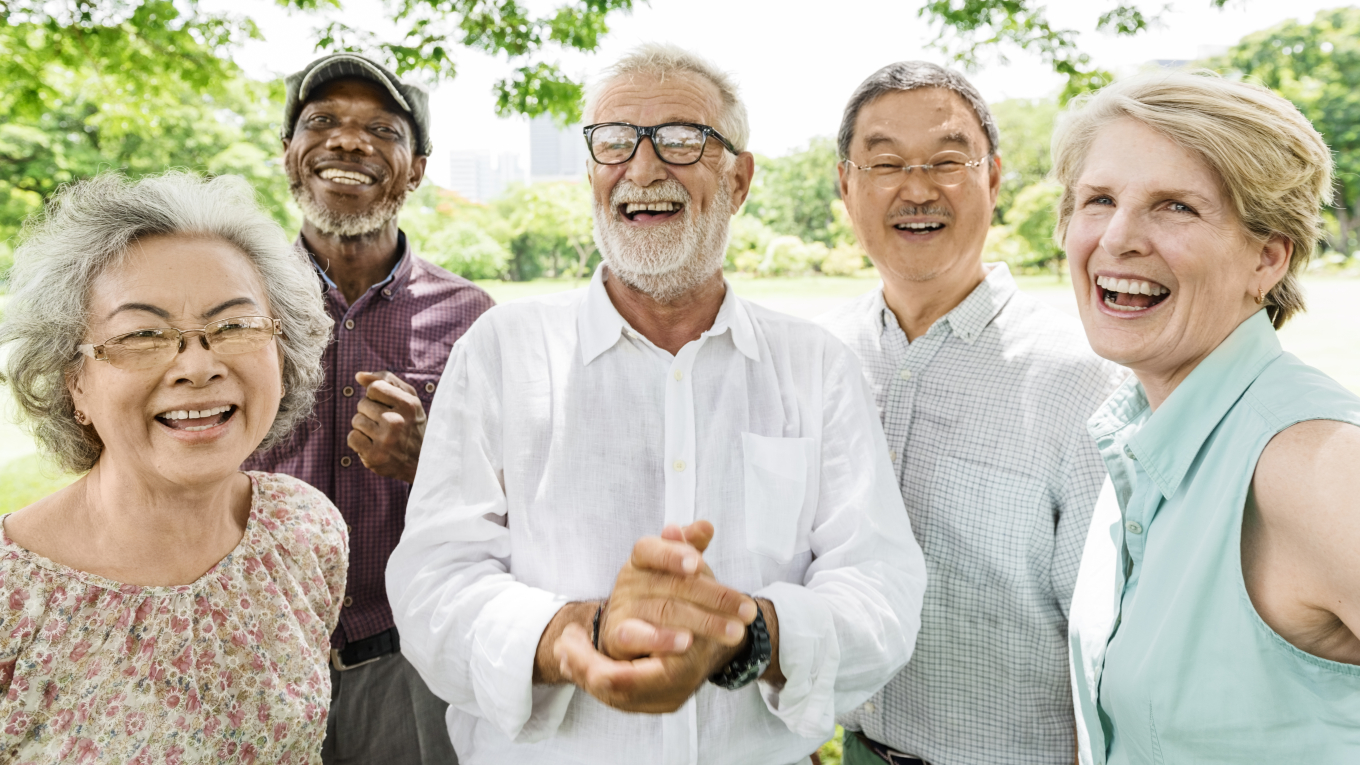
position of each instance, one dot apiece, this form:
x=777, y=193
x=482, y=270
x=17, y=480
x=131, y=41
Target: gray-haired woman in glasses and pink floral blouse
x=167, y=606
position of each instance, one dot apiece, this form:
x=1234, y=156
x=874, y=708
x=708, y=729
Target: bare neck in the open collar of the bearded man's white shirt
x=671, y=325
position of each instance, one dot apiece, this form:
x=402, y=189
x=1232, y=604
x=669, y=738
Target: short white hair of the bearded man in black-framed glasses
x=663, y=61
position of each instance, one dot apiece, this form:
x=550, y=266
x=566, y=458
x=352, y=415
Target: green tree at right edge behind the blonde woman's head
x=1317, y=66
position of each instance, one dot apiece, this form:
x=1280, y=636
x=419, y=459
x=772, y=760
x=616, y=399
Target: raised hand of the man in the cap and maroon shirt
x=390, y=428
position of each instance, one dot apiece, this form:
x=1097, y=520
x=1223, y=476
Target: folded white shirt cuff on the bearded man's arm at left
x=505, y=645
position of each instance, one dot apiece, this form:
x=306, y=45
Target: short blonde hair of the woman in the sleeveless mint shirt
x=1274, y=165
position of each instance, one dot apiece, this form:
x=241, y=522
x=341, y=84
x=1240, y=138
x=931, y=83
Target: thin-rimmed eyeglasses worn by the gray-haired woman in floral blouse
x=156, y=346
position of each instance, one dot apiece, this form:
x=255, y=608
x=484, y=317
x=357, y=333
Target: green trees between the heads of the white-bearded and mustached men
x=794, y=194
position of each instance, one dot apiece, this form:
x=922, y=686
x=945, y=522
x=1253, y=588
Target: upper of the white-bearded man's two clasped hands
x=666, y=597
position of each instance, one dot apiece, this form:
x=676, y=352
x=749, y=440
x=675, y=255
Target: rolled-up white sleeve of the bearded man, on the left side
x=467, y=625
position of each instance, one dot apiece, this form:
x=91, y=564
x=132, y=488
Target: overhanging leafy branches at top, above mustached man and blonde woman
x=972, y=29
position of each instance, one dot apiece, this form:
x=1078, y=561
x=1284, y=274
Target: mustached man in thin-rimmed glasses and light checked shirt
x=984, y=395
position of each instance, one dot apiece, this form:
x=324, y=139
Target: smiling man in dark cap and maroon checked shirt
x=356, y=142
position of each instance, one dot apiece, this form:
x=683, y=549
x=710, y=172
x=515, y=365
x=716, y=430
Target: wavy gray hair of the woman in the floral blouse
x=89, y=229
